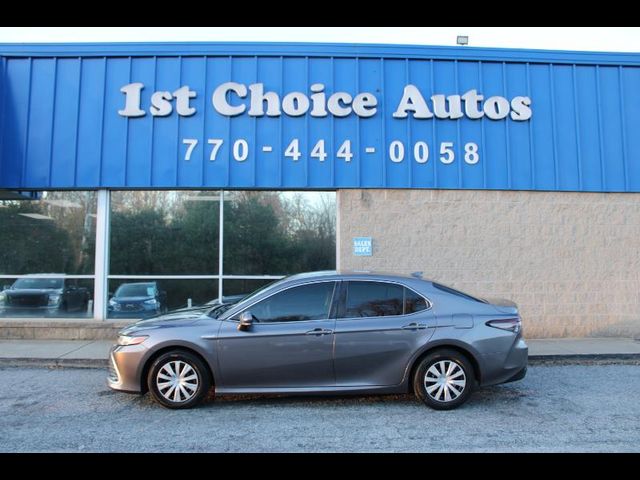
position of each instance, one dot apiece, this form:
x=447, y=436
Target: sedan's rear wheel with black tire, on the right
x=436, y=397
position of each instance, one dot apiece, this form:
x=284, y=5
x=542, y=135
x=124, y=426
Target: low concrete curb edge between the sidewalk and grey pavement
x=570, y=359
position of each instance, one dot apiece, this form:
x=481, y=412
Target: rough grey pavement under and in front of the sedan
x=560, y=408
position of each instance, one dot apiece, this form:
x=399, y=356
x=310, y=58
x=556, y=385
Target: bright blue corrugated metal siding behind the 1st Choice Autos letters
x=60, y=126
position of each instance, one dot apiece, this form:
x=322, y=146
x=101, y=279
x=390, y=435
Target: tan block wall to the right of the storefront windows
x=570, y=260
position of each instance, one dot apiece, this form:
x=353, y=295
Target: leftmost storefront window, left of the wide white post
x=47, y=250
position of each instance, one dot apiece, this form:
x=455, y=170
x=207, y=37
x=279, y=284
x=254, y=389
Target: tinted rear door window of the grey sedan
x=373, y=299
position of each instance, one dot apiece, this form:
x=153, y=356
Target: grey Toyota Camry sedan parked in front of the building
x=327, y=333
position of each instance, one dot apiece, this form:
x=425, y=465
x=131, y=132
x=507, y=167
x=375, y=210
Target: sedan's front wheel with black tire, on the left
x=177, y=359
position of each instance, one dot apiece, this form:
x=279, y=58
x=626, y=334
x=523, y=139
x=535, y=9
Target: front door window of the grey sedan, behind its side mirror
x=306, y=302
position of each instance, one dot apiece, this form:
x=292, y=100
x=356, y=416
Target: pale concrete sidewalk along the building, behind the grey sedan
x=92, y=354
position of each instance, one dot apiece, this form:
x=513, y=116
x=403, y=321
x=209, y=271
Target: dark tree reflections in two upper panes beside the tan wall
x=265, y=233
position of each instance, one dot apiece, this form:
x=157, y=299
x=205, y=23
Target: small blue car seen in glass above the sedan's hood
x=137, y=300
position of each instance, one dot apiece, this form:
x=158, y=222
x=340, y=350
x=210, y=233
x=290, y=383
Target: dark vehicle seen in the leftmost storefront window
x=43, y=294
